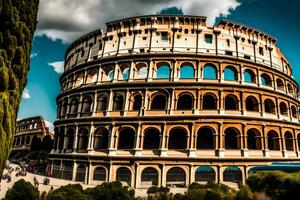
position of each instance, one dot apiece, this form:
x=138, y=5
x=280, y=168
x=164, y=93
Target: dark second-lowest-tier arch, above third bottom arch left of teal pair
x=126, y=139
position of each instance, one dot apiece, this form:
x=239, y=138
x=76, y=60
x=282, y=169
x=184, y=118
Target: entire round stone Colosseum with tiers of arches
x=166, y=100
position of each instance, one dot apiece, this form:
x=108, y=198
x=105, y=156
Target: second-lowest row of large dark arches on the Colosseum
x=177, y=138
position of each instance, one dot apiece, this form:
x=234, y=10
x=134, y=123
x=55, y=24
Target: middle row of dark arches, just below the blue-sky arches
x=184, y=101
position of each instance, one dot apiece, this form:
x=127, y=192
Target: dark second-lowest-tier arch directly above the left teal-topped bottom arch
x=205, y=138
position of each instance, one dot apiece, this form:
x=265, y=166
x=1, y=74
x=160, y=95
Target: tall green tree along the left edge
x=17, y=26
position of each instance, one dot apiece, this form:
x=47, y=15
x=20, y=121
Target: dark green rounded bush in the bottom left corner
x=22, y=190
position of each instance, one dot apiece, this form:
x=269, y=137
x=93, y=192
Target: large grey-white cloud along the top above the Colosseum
x=67, y=20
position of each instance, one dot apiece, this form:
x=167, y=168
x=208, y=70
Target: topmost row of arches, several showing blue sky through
x=187, y=70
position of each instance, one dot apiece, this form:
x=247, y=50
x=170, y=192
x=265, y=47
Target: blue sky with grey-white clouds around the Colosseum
x=61, y=21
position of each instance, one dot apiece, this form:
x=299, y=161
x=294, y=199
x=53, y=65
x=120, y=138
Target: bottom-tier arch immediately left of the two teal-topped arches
x=176, y=177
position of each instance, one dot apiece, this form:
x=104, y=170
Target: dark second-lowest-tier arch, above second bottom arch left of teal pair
x=151, y=139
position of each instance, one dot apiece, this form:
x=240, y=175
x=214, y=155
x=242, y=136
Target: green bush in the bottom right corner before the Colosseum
x=275, y=184
